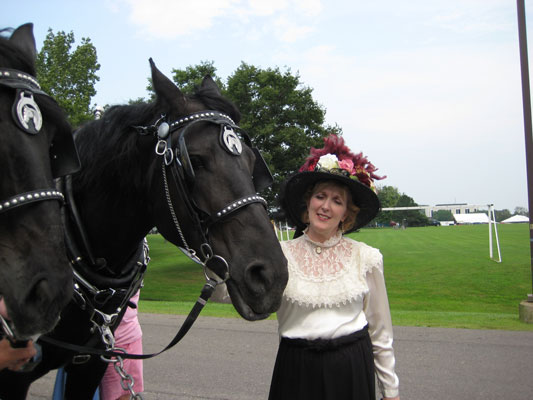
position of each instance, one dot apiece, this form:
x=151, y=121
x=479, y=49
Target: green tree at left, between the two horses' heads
x=69, y=76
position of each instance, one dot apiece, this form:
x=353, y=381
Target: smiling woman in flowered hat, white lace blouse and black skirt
x=334, y=321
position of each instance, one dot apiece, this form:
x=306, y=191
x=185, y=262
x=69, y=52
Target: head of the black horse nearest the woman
x=206, y=179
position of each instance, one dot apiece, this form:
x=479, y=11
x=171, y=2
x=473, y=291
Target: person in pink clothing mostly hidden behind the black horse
x=128, y=336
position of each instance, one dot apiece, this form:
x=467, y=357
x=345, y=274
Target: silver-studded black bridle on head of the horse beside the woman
x=176, y=161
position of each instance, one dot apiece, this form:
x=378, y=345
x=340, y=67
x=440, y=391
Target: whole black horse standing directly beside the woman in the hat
x=182, y=165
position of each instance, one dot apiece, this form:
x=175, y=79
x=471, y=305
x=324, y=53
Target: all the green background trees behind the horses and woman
x=278, y=112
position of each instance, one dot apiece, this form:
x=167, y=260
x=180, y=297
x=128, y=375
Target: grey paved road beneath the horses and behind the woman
x=231, y=359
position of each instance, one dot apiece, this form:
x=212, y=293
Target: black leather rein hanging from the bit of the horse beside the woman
x=206, y=293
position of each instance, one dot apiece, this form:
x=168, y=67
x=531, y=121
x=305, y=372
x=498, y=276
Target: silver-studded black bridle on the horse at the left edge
x=28, y=118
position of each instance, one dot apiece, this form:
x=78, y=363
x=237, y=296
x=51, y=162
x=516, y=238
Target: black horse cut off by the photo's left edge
x=35, y=146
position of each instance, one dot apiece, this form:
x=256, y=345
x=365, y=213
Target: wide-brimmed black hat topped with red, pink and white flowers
x=334, y=162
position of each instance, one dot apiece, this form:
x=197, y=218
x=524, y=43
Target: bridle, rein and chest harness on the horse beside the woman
x=175, y=163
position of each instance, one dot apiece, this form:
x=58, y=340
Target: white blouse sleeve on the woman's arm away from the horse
x=376, y=308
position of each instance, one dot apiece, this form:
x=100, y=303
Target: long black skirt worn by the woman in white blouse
x=336, y=369
